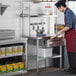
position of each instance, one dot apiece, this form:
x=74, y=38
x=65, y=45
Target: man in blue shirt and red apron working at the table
x=70, y=34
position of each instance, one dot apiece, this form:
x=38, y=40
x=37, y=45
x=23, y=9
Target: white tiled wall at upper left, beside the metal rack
x=10, y=18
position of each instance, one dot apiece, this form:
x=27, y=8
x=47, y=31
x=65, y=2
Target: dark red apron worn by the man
x=71, y=40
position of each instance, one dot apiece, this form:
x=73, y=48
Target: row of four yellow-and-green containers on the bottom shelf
x=12, y=67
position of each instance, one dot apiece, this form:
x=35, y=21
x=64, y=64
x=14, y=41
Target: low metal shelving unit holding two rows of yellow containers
x=23, y=41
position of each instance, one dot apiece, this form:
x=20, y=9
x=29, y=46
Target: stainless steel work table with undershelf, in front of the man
x=44, y=58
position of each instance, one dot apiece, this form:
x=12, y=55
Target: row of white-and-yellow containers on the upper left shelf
x=11, y=50
